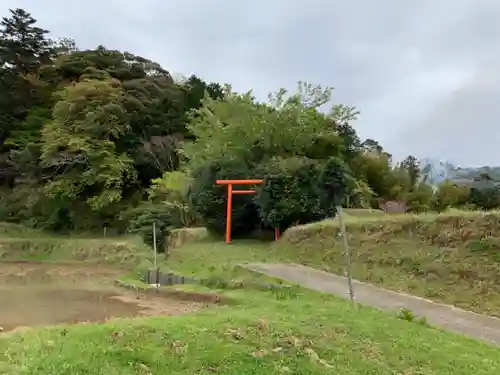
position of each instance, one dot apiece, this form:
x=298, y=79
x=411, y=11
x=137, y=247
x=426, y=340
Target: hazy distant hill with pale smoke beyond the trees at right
x=437, y=171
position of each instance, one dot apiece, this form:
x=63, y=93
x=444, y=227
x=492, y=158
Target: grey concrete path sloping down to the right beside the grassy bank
x=440, y=315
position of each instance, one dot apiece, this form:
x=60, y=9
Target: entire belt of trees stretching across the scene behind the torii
x=104, y=137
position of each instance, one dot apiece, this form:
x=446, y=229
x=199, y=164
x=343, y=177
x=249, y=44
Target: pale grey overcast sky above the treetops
x=425, y=74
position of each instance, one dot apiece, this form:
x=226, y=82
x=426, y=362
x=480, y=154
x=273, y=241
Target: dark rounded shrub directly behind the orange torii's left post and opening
x=210, y=200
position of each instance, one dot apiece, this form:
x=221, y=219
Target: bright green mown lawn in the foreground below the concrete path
x=295, y=332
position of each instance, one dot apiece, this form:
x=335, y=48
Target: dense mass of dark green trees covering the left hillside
x=90, y=127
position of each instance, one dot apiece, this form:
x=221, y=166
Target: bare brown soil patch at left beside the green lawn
x=34, y=294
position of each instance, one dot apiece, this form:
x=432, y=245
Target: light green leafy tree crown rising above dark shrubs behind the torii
x=238, y=127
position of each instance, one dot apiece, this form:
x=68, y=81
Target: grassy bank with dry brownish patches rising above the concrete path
x=452, y=257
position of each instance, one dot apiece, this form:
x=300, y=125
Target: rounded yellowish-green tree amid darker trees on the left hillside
x=78, y=144
